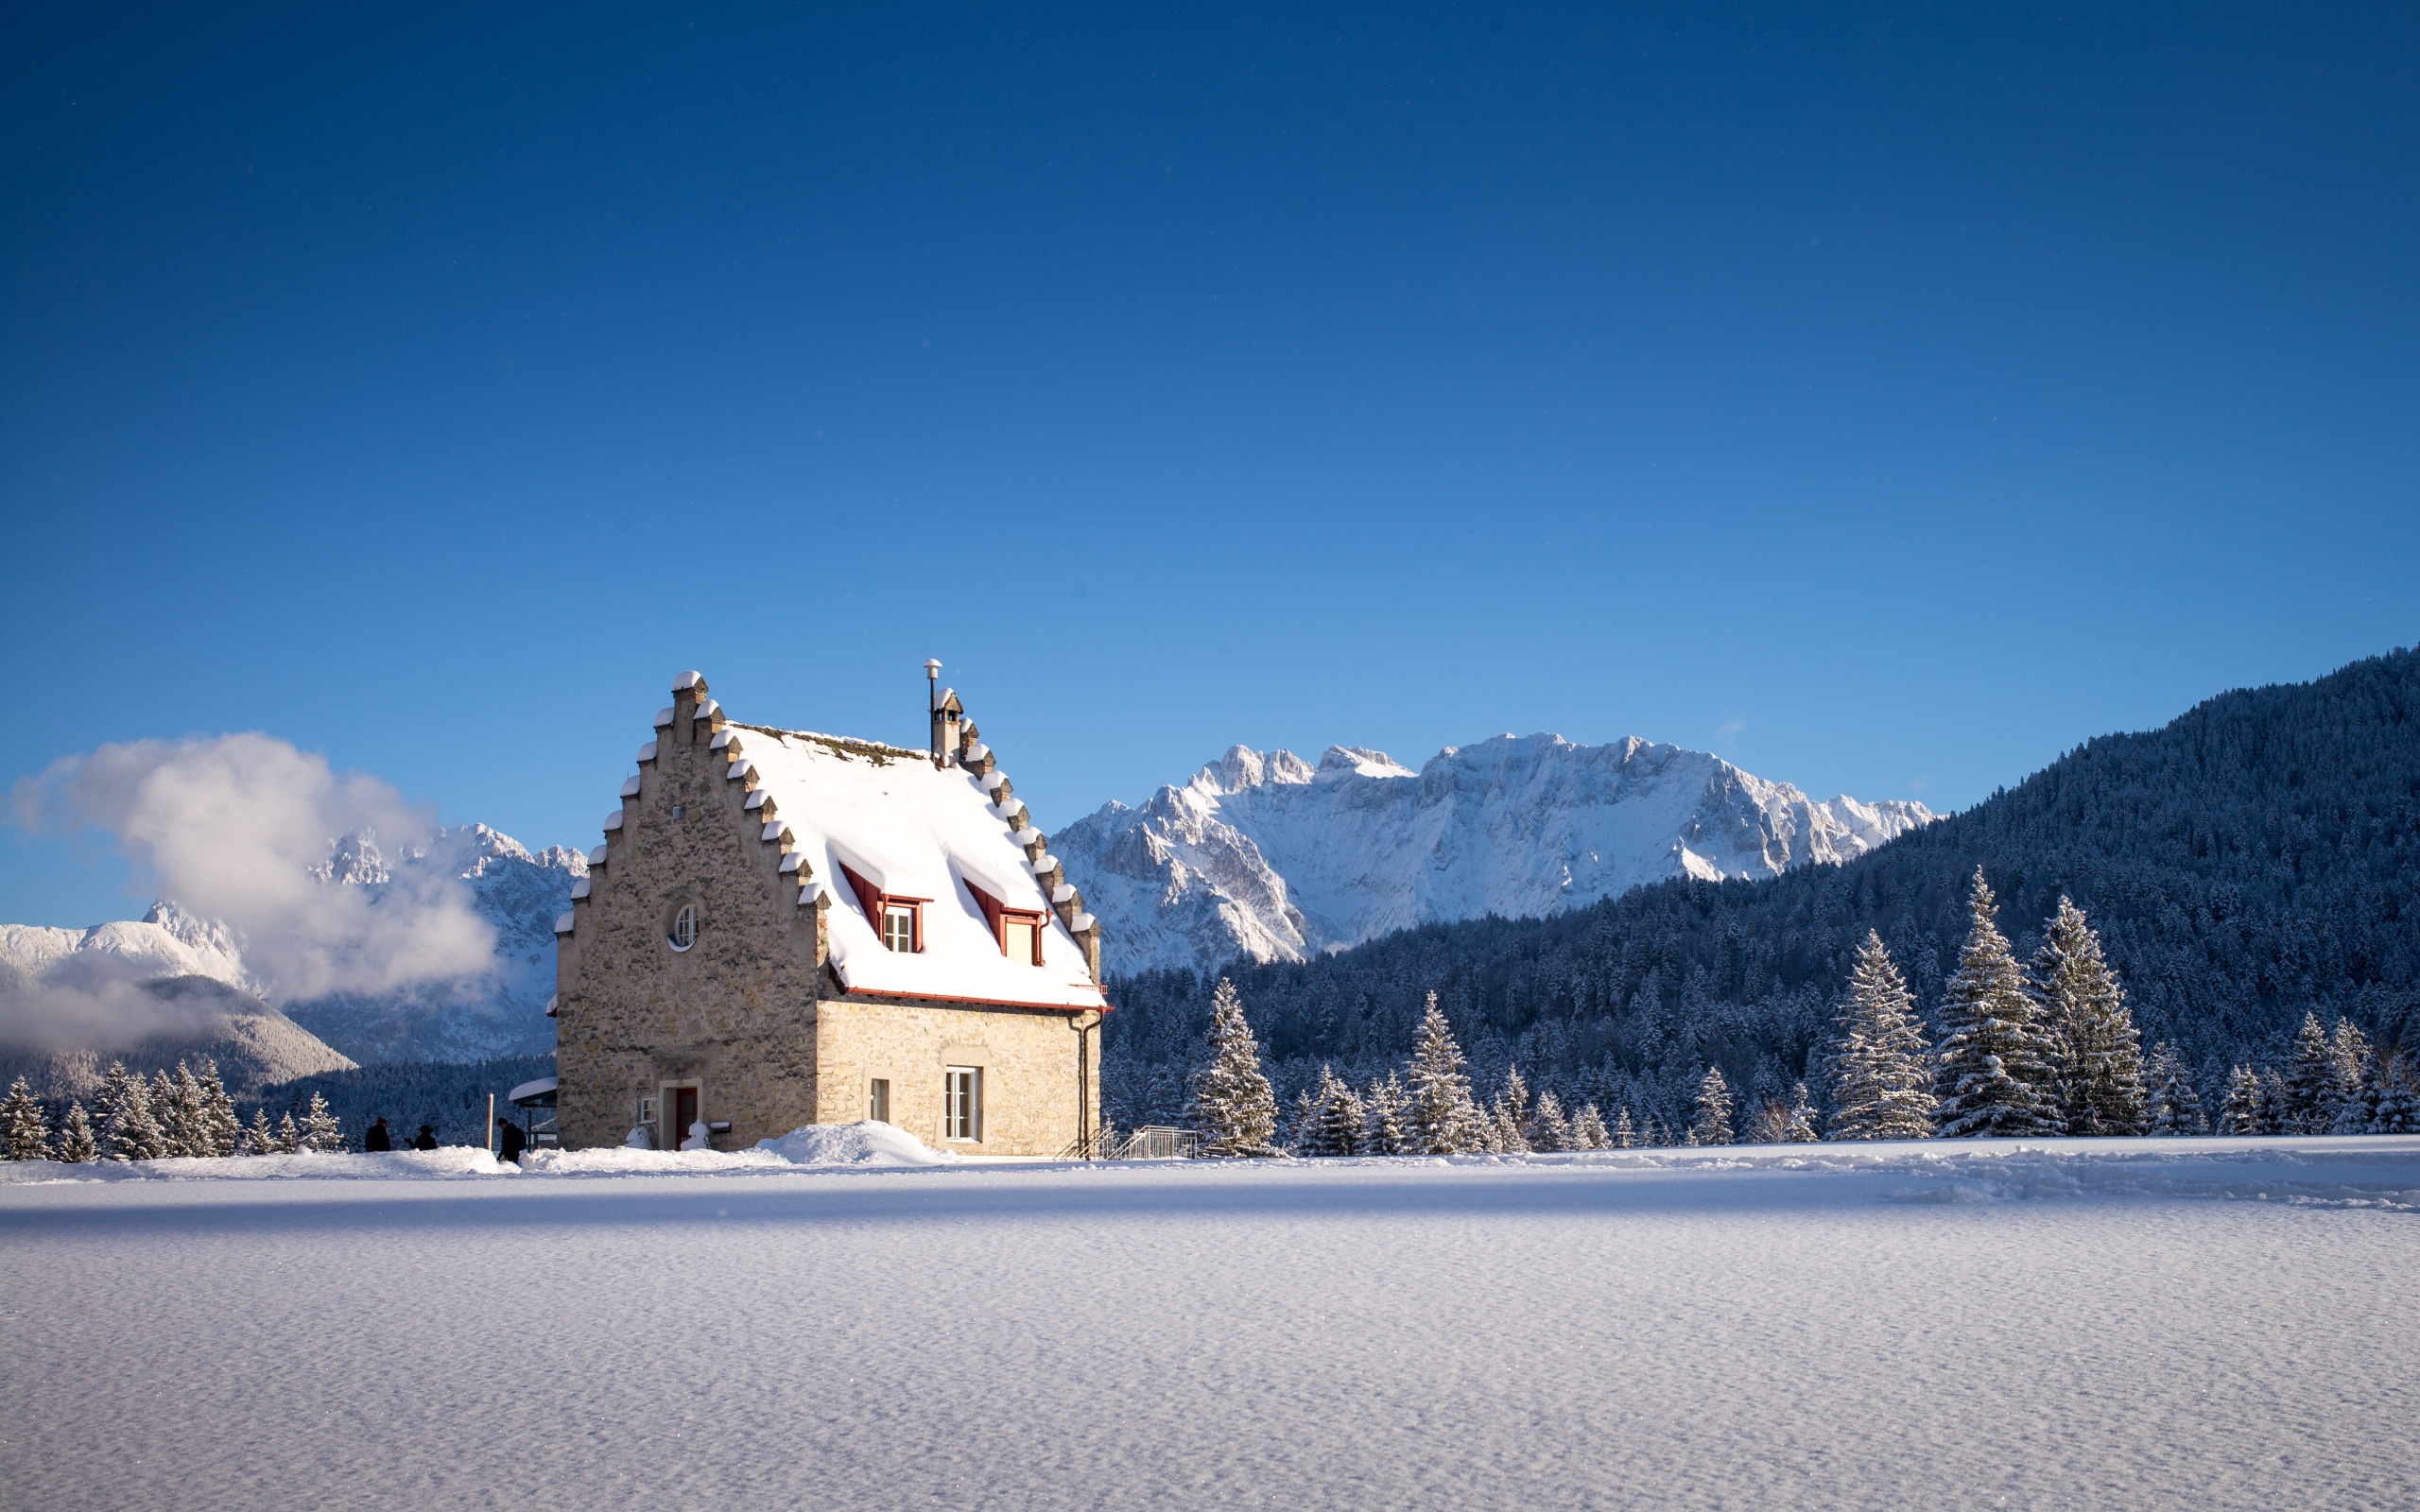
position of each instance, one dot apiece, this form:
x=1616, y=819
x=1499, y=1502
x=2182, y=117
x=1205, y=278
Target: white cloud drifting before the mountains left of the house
x=243, y=829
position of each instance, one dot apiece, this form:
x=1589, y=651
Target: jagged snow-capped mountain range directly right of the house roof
x=1274, y=860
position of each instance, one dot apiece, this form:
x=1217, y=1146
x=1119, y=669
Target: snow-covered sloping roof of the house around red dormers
x=914, y=831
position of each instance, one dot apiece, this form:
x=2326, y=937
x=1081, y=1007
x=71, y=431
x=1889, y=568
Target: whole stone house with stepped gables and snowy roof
x=790, y=928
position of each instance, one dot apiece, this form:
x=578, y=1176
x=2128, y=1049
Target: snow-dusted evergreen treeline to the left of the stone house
x=190, y=1114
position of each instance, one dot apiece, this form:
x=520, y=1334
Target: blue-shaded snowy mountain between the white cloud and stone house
x=502, y=1012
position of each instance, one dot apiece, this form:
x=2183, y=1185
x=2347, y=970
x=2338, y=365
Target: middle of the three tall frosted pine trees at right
x=1995, y=1058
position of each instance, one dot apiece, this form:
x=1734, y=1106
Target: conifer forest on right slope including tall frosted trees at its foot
x=2203, y=928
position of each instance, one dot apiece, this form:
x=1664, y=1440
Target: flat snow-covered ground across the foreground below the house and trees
x=1978, y=1325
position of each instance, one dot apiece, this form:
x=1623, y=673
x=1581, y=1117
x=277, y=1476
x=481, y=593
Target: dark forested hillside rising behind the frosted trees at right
x=2252, y=862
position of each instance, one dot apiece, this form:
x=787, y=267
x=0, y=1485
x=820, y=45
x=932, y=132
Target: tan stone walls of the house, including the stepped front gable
x=749, y=1015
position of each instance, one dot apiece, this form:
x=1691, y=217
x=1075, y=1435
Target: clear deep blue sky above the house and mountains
x=1882, y=398
